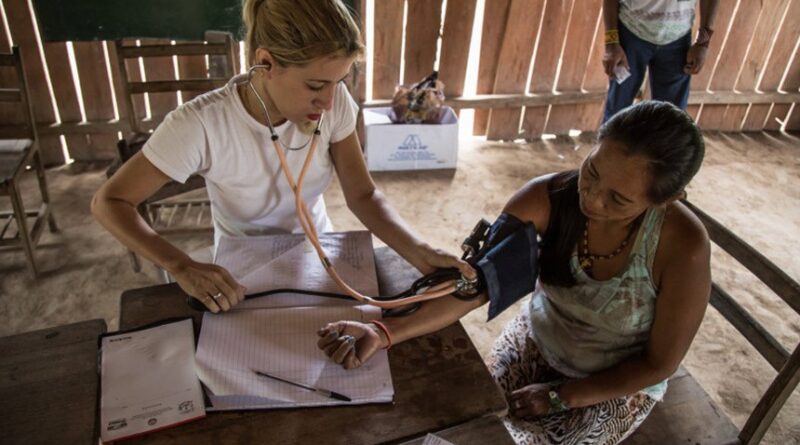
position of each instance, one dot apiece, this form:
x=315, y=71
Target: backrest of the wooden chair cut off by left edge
x=16, y=112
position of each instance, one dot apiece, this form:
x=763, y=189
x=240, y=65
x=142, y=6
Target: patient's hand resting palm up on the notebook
x=350, y=343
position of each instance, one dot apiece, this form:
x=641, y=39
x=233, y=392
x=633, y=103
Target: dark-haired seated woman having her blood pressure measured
x=624, y=282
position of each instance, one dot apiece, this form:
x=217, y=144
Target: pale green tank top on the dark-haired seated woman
x=594, y=325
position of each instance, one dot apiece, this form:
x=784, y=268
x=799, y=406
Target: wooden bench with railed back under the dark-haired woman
x=688, y=415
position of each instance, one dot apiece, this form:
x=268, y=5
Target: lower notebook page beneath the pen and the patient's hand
x=283, y=342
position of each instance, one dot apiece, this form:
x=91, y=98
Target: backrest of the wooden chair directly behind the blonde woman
x=217, y=75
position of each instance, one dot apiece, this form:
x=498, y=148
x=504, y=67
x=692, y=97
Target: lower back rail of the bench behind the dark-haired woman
x=752, y=330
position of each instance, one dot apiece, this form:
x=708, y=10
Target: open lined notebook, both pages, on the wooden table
x=277, y=334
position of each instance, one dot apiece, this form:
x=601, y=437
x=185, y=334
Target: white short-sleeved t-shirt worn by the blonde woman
x=214, y=136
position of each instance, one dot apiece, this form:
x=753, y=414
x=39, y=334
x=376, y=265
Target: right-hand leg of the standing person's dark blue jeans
x=668, y=82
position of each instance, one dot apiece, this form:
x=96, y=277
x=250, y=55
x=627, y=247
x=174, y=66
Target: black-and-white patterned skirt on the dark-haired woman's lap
x=515, y=362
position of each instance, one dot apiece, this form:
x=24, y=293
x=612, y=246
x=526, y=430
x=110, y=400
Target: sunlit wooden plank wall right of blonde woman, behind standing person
x=750, y=81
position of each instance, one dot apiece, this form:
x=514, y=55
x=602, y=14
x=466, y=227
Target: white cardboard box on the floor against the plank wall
x=392, y=146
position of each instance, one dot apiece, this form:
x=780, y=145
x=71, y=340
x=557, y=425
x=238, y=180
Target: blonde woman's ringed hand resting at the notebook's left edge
x=214, y=286
